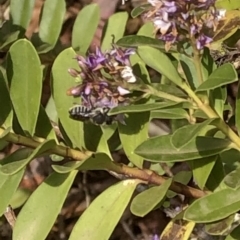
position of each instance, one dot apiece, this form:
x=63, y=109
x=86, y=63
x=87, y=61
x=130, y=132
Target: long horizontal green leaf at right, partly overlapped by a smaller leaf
x=160, y=149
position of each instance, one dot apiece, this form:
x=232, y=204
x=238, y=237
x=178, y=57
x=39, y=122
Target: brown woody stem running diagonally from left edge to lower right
x=142, y=174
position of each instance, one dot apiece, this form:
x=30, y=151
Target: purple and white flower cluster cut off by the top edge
x=184, y=19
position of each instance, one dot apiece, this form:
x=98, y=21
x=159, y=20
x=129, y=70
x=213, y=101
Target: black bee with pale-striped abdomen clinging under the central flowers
x=97, y=116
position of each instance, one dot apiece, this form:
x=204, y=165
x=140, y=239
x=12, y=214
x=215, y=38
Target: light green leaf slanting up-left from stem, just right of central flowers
x=160, y=62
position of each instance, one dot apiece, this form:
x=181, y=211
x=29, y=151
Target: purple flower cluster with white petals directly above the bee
x=105, y=78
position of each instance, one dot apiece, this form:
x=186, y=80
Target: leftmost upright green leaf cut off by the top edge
x=21, y=12
